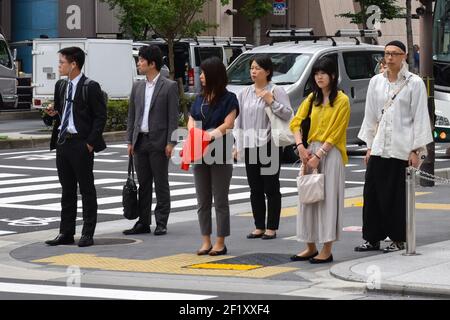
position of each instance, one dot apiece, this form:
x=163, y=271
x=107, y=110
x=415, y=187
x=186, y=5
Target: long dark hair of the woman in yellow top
x=328, y=66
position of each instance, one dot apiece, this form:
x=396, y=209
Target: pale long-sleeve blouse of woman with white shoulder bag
x=252, y=126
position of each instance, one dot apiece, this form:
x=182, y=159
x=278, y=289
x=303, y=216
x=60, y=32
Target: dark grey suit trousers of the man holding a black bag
x=152, y=165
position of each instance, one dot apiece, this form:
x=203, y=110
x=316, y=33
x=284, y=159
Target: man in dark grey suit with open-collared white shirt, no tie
x=152, y=118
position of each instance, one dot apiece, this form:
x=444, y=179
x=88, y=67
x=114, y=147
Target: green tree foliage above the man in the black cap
x=389, y=11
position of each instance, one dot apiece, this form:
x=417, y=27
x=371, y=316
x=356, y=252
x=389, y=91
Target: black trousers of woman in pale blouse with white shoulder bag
x=264, y=184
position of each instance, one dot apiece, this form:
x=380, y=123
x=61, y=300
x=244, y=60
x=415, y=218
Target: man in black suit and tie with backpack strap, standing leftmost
x=78, y=122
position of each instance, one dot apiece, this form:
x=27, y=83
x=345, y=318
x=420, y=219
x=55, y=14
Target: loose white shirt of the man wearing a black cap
x=405, y=125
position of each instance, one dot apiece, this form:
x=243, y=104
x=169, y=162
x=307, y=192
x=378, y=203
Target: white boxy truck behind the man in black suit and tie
x=108, y=61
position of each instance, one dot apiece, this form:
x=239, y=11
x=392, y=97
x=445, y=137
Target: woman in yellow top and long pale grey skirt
x=330, y=114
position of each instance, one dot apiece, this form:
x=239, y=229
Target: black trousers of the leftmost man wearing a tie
x=75, y=167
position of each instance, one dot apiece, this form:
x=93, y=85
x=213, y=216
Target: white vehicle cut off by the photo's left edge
x=8, y=82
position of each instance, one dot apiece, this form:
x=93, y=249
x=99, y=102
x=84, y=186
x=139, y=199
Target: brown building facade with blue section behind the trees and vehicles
x=27, y=19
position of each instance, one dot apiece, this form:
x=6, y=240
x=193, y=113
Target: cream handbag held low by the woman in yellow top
x=311, y=187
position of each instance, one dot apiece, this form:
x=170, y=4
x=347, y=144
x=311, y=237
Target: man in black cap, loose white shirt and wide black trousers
x=396, y=127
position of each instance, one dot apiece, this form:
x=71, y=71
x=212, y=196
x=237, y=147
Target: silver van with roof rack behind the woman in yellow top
x=357, y=63
